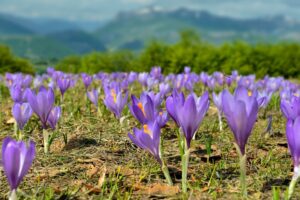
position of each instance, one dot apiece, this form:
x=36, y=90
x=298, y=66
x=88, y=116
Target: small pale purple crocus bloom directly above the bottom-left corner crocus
x=21, y=113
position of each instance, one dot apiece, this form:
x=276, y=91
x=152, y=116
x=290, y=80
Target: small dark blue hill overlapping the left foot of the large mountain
x=80, y=41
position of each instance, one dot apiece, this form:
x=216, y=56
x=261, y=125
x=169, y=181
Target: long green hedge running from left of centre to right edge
x=281, y=59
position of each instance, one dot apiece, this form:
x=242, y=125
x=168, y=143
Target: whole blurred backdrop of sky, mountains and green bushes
x=124, y=35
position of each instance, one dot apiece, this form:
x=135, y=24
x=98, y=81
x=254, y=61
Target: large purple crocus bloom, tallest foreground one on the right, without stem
x=240, y=111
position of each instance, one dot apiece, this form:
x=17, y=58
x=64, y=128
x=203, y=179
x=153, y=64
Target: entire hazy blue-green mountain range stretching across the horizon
x=41, y=38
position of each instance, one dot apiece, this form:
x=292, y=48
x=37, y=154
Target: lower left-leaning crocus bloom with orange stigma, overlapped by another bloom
x=148, y=139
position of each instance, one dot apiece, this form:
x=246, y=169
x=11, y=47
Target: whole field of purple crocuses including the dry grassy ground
x=149, y=135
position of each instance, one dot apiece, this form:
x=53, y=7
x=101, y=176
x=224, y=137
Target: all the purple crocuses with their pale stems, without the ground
x=152, y=110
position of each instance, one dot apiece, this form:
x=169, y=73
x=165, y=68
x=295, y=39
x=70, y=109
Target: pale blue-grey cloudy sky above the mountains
x=106, y=9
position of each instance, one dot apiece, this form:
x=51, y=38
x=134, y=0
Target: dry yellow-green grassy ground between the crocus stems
x=100, y=162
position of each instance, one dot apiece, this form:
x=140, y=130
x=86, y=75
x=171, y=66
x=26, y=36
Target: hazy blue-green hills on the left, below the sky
x=47, y=38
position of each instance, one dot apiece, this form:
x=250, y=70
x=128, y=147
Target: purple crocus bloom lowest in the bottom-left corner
x=17, y=158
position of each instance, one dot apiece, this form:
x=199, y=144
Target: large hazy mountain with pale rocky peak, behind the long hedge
x=152, y=23
